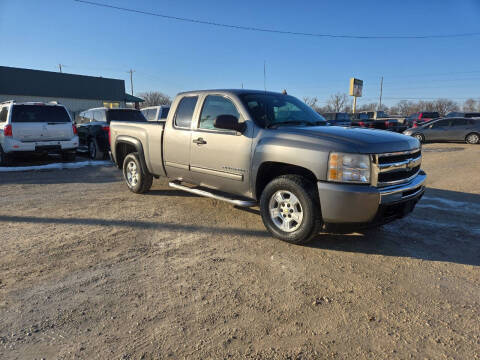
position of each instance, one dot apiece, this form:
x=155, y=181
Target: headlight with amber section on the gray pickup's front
x=353, y=168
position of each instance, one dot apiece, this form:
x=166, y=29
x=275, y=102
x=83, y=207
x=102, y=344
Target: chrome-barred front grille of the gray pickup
x=396, y=168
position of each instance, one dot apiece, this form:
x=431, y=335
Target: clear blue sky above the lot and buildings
x=172, y=56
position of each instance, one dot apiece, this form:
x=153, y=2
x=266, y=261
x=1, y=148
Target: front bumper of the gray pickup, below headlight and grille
x=345, y=203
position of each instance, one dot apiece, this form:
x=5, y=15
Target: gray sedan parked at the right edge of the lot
x=448, y=129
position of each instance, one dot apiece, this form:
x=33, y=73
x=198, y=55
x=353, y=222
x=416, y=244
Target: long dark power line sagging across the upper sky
x=284, y=32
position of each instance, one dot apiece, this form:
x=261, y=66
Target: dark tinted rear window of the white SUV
x=39, y=113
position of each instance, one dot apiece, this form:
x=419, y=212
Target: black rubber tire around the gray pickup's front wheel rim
x=311, y=222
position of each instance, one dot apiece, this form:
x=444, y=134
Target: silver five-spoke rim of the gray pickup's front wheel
x=285, y=211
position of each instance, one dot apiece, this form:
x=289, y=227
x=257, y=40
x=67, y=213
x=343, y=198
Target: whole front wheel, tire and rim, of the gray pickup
x=290, y=209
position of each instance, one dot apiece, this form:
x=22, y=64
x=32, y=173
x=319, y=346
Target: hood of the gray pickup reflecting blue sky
x=364, y=141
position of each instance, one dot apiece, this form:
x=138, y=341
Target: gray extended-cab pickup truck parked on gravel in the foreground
x=269, y=149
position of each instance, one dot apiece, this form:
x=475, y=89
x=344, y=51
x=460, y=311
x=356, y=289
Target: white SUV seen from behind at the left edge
x=35, y=127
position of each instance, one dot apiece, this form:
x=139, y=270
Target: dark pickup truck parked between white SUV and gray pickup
x=94, y=126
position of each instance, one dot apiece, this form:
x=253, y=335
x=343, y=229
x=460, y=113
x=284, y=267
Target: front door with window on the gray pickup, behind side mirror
x=220, y=159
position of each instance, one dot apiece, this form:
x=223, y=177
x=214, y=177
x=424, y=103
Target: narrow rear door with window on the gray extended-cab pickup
x=177, y=139
